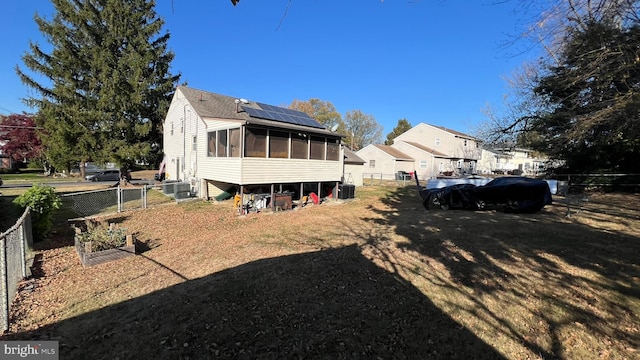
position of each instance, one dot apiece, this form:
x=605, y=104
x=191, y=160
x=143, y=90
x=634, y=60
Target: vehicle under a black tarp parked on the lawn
x=513, y=193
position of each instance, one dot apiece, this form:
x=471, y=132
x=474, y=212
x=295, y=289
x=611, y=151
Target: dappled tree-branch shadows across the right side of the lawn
x=569, y=277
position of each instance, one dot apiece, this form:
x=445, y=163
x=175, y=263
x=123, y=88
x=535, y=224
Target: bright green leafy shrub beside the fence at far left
x=43, y=201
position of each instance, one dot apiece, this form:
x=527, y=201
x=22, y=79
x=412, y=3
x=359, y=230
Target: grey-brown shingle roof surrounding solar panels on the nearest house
x=210, y=105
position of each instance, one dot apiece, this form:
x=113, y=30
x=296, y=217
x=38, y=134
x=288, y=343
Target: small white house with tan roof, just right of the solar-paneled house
x=384, y=162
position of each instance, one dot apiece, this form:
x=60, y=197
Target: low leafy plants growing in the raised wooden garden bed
x=102, y=236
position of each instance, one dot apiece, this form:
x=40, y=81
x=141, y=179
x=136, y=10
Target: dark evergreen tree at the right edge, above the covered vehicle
x=594, y=119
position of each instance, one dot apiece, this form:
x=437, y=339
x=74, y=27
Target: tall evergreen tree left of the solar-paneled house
x=109, y=82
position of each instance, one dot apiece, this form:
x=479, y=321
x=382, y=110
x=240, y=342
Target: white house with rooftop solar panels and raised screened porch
x=220, y=144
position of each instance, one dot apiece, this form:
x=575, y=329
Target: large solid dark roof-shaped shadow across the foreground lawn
x=343, y=307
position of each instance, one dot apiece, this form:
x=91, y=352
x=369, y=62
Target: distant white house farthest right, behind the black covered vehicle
x=506, y=159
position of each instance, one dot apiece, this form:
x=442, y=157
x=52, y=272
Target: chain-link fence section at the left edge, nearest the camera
x=15, y=251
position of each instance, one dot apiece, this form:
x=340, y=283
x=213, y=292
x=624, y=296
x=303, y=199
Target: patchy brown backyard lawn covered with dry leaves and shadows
x=375, y=277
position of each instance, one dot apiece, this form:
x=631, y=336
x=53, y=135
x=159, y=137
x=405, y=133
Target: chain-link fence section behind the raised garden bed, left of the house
x=90, y=203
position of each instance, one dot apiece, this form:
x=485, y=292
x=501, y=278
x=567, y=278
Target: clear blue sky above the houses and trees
x=433, y=61
